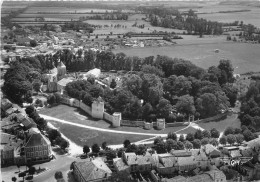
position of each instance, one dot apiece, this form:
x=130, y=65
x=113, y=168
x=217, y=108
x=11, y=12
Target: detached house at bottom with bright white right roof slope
x=93, y=170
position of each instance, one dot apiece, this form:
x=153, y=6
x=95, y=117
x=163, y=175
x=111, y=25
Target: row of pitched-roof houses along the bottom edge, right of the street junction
x=174, y=166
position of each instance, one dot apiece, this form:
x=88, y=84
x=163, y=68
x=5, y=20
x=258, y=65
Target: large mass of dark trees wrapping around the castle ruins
x=165, y=85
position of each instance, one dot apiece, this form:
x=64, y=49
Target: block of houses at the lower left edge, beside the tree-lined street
x=21, y=141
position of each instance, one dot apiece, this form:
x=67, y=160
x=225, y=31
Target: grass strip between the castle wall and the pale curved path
x=76, y=115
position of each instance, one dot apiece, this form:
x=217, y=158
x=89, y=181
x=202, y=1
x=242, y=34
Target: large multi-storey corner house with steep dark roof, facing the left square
x=37, y=148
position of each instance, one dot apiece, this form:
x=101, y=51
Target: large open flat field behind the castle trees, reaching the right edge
x=244, y=56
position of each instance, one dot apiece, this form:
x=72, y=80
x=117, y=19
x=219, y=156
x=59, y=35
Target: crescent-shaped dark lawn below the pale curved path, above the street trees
x=82, y=136
